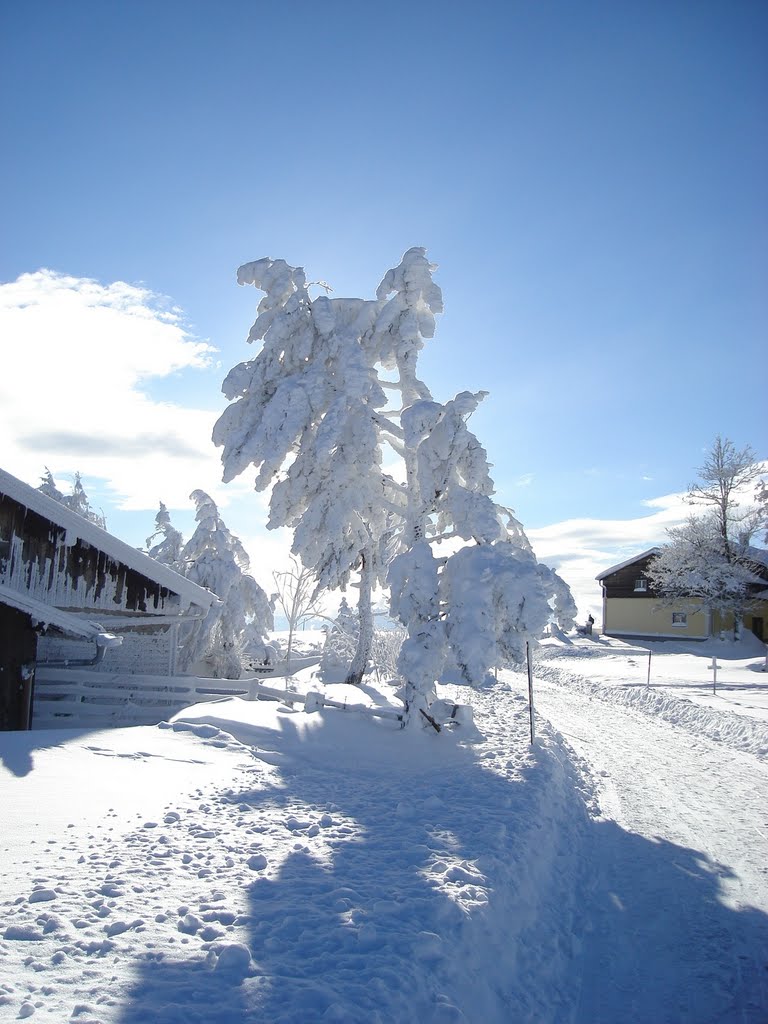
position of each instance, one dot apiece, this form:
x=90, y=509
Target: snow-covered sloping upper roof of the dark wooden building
x=78, y=528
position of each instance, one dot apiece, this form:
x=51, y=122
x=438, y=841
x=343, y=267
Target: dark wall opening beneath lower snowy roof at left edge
x=18, y=656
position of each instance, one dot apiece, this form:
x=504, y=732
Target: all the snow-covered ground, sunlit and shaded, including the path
x=251, y=863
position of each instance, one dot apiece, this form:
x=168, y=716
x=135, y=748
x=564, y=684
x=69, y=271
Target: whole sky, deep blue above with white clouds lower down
x=590, y=179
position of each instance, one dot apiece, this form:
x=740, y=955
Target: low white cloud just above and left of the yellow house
x=579, y=549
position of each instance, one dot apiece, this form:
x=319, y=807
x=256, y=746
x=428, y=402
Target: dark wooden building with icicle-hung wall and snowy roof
x=72, y=594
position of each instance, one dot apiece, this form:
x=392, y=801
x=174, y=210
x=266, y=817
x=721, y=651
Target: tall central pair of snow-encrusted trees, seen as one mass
x=310, y=413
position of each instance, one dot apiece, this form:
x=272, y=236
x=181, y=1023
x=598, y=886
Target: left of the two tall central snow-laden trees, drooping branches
x=304, y=407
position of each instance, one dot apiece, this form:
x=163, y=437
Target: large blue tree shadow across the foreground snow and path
x=424, y=907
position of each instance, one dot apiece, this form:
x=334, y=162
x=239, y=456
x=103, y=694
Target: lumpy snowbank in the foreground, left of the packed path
x=286, y=868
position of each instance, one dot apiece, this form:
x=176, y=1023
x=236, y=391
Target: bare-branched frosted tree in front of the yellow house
x=709, y=559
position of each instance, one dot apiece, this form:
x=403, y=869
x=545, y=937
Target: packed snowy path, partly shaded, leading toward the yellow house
x=679, y=909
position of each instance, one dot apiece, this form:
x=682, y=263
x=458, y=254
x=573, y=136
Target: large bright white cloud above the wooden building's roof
x=77, y=356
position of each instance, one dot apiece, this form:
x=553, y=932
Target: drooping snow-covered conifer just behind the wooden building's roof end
x=217, y=560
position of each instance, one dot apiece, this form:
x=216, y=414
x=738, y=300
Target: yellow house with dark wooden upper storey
x=631, y=609
